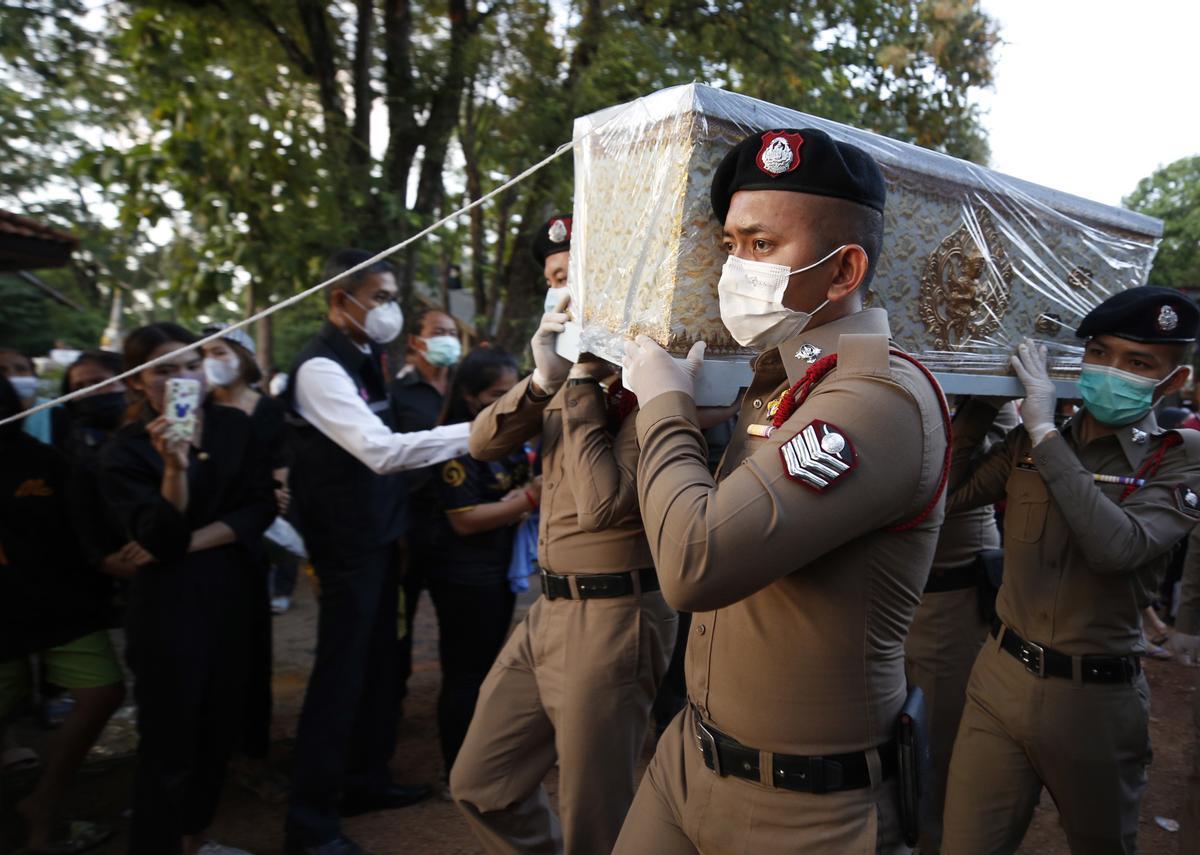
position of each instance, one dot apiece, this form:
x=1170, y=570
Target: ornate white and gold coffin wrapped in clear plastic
x=974, y=261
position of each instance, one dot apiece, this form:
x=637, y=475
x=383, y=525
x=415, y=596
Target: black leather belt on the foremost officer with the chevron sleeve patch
x=819, y=774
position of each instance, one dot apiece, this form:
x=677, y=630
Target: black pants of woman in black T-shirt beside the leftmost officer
x=473, y=625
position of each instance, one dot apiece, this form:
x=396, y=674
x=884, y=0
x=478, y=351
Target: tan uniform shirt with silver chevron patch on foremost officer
x=803, y=597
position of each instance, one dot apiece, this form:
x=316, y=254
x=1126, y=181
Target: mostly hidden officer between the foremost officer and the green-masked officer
x=949, y=631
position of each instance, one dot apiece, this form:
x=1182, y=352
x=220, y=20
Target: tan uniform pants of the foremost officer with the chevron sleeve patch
x=683, y=809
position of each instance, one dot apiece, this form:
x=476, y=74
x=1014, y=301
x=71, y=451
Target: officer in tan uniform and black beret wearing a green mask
x=1058, y=697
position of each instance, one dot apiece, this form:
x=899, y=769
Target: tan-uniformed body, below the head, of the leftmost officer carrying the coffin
x=575, y=681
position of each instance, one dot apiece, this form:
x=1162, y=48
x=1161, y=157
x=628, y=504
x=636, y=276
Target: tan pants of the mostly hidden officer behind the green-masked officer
x=943, y=645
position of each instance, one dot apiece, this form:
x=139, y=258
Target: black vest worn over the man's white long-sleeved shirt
x=343, y=509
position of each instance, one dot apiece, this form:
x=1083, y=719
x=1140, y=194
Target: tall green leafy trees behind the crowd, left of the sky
x=212, y=152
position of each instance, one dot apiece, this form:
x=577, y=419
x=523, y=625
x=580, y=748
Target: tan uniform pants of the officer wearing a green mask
x=1089, y=744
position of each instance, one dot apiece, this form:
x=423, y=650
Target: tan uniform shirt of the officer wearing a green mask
x=1077, y=560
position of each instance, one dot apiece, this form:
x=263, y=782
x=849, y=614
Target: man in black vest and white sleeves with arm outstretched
x=350, y=506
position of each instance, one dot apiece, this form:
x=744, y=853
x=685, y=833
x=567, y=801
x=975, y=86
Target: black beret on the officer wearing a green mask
x=1159, y=316
